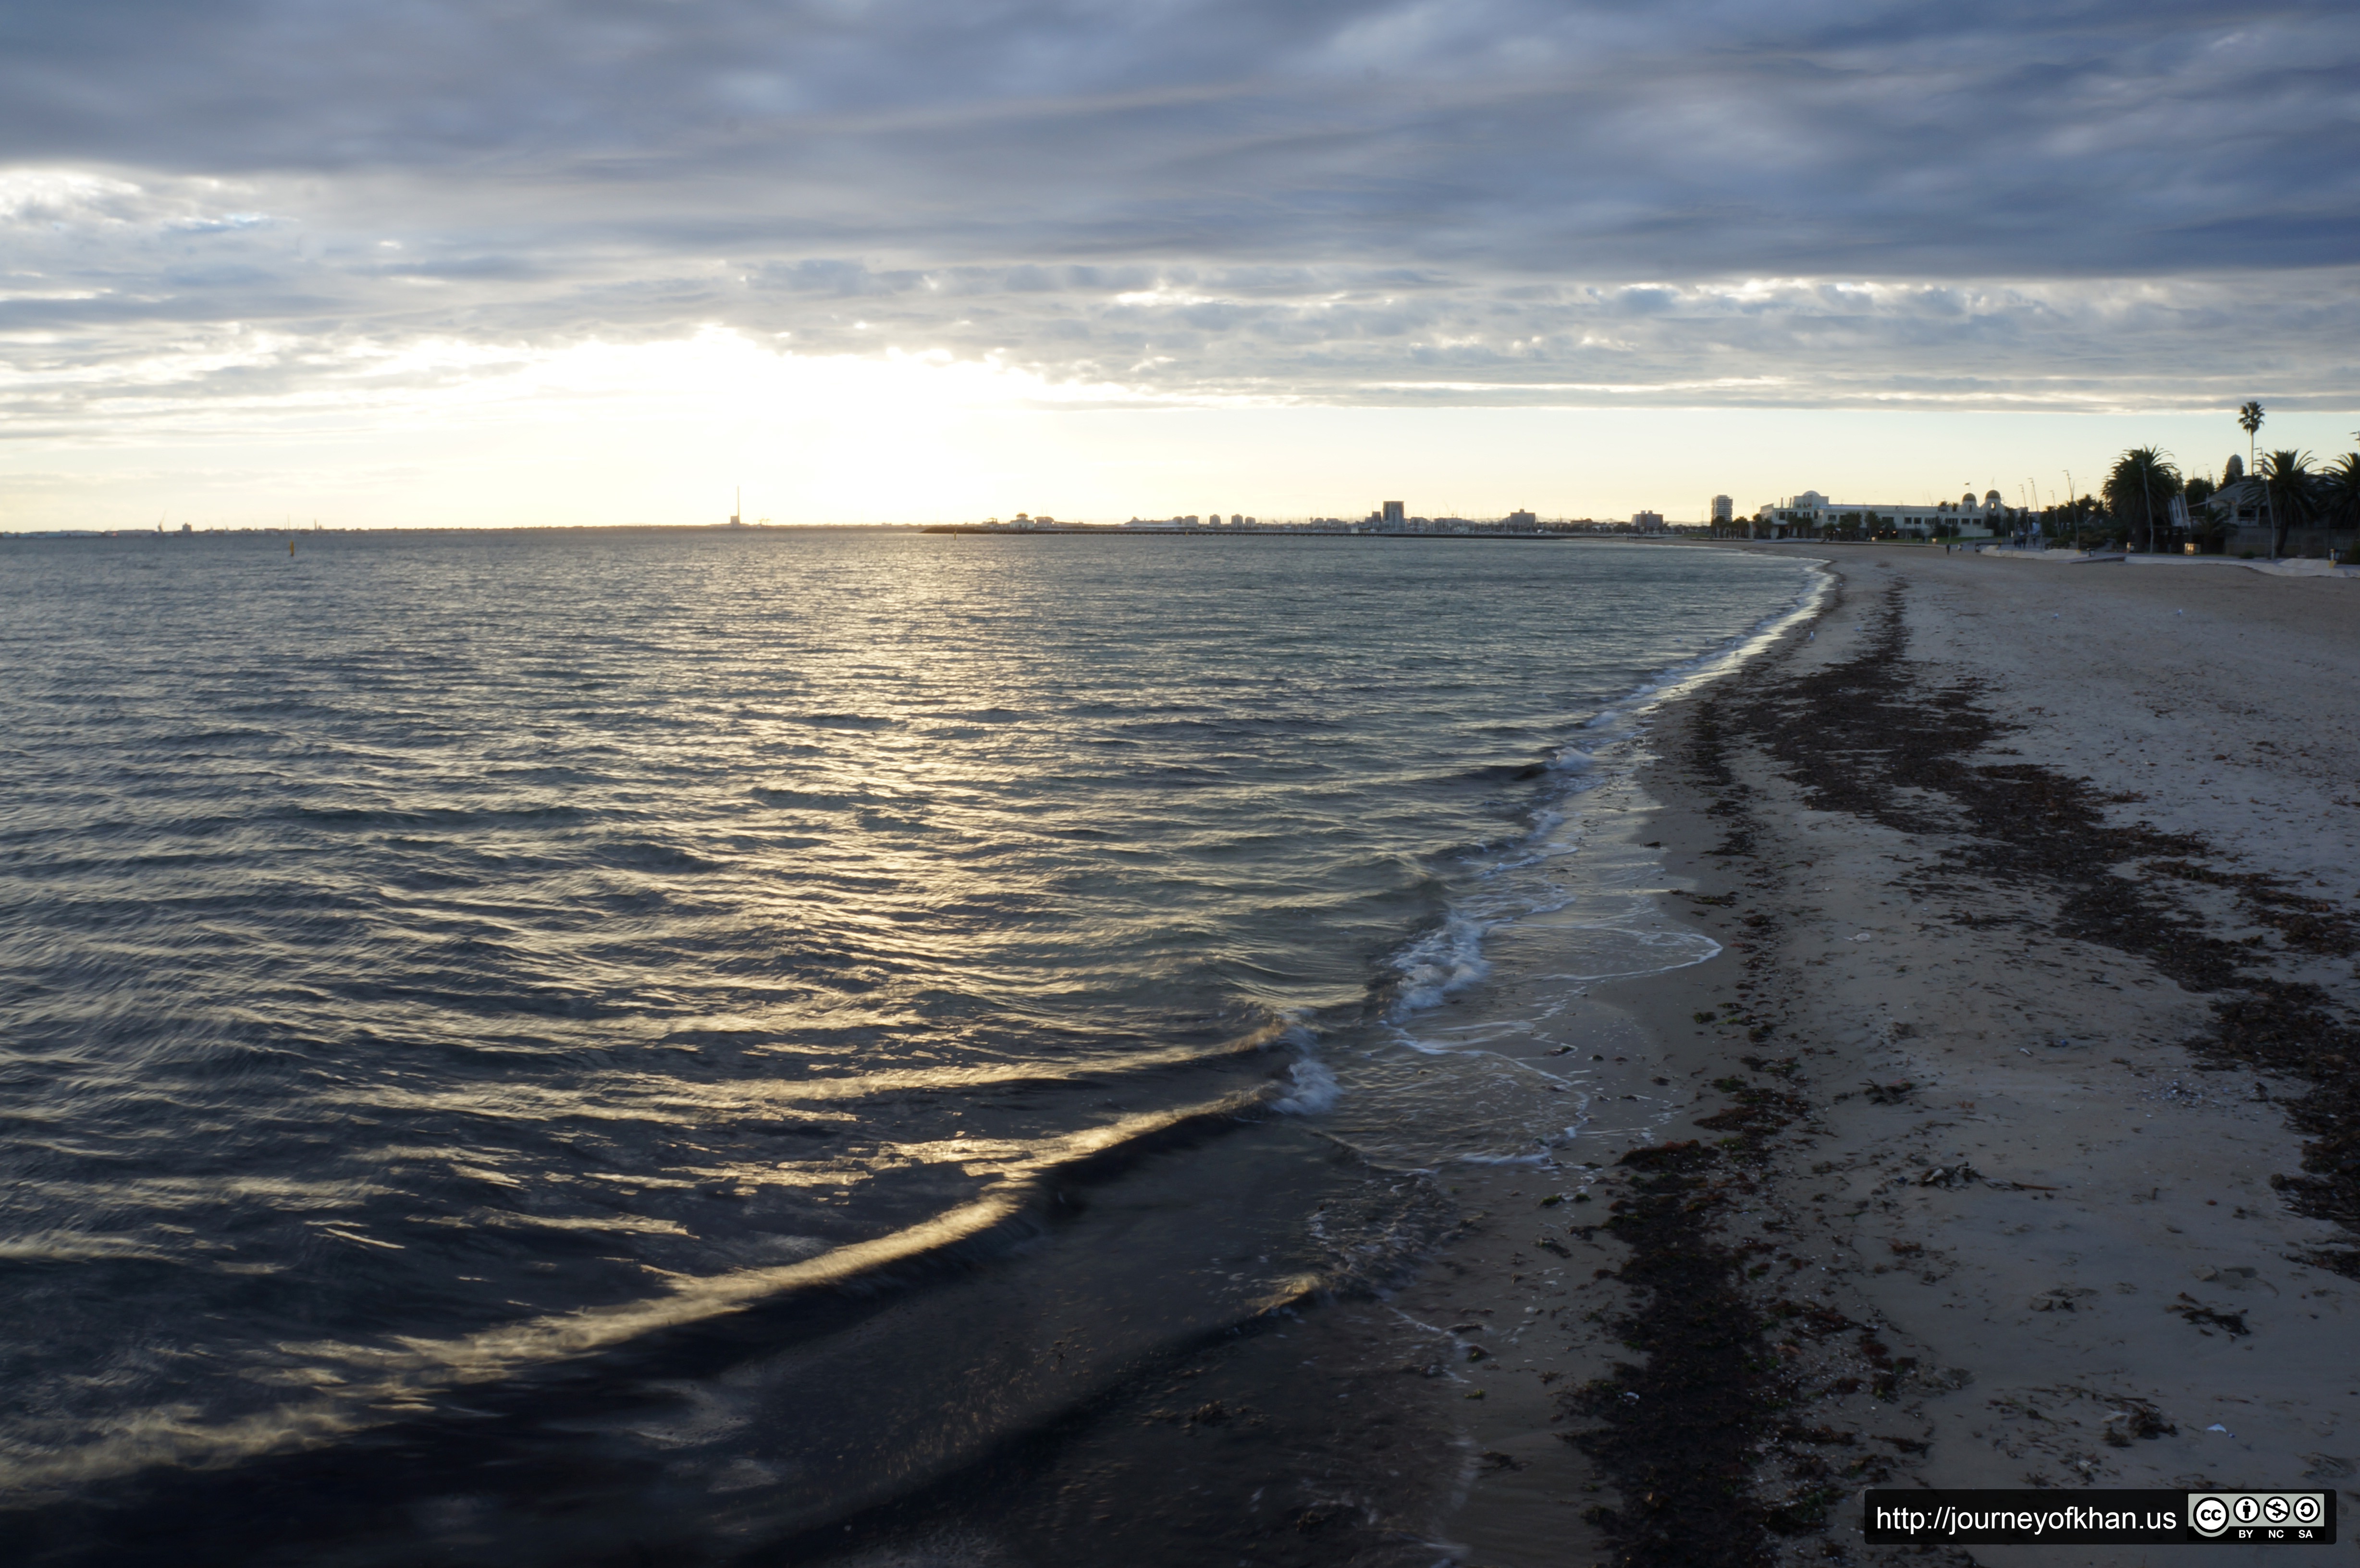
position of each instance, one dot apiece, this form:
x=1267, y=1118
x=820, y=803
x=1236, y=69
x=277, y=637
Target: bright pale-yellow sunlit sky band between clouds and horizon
x=459, y=433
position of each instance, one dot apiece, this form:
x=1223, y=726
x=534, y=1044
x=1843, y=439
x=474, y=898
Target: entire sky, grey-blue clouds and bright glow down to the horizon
x=886, y=261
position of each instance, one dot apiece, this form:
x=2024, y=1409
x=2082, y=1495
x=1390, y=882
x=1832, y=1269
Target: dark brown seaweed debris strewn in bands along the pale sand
x=1880, y=738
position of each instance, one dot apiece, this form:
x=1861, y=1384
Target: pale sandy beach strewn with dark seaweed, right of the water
x=2010, y=1137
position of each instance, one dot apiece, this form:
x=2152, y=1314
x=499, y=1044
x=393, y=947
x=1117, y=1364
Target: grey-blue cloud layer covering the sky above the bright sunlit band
x=1988, y=204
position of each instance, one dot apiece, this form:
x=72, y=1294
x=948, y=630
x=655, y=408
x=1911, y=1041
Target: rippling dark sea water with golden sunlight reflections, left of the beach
x=568, y=1007
